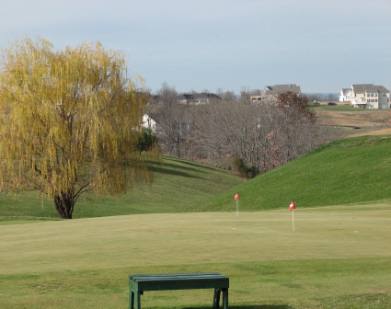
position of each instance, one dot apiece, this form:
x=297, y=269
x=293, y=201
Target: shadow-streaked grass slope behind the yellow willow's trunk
x=178, y=186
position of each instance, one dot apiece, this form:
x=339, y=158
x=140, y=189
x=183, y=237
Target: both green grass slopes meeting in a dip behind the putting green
x=353, y=170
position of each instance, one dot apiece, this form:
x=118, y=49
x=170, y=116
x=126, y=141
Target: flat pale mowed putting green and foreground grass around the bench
x=338, y=257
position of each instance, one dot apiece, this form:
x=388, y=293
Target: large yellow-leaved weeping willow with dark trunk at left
x=69, y=122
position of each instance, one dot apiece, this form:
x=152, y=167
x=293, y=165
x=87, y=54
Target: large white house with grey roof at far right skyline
x=366, y=96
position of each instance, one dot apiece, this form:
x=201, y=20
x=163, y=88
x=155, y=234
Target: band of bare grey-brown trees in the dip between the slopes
x=235, y=134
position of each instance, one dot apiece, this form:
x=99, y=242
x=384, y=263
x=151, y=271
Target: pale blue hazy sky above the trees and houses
x=322, y=45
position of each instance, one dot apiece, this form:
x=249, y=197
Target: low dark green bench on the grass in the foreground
x=138, y=284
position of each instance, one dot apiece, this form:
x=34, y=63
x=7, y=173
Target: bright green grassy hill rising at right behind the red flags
x=347, y=171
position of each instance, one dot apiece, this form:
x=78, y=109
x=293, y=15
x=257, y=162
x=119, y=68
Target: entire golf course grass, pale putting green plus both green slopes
x=339, y=255
